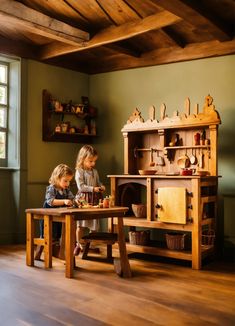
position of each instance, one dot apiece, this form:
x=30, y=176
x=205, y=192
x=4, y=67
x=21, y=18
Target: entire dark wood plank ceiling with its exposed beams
x=95, y=36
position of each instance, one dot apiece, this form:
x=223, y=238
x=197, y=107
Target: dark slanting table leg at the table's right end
x=125, y=265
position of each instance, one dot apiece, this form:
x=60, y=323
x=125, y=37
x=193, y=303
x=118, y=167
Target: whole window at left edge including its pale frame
x=10, y=105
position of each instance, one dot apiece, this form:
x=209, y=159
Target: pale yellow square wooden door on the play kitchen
x=172, y=205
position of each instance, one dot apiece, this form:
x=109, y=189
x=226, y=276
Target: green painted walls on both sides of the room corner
x=116, y=95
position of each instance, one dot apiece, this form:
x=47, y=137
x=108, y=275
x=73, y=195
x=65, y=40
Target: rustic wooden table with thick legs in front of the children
x=69, y=216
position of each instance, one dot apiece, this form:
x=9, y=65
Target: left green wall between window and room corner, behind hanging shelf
x=42, y=157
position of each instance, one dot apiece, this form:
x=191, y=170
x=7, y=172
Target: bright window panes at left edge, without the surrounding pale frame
x=4, y=109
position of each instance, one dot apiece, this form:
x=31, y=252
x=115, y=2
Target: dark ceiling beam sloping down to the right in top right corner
x=195, y=18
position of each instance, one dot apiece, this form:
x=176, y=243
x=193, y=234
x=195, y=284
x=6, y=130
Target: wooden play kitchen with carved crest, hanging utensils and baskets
x=171, y=165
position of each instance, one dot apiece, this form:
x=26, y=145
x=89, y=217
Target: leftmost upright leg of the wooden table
x=29, y=239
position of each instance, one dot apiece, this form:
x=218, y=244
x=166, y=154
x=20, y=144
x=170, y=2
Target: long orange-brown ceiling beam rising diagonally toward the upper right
x=113, y=34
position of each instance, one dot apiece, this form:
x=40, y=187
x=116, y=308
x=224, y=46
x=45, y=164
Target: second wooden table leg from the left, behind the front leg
x=47, y=241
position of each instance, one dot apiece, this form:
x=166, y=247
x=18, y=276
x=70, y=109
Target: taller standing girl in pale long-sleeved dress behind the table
x=90, y=189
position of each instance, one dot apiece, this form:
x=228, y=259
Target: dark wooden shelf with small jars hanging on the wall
x=52, y=118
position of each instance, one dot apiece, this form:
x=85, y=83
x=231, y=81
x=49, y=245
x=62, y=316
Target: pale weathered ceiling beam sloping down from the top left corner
x=31, y=20
